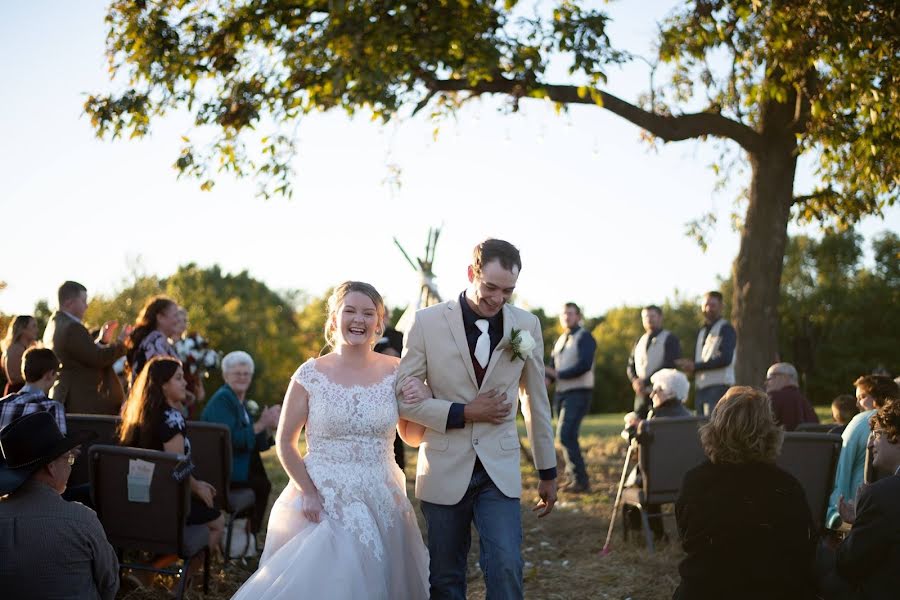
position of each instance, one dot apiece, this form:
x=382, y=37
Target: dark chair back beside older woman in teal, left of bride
x=211, y=453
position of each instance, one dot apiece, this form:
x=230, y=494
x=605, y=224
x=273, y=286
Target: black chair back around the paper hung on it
x=156, y=526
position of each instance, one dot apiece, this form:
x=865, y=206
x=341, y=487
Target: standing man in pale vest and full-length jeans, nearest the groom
x=572, y=366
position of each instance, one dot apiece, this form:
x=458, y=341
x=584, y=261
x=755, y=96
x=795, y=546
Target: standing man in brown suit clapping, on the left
x=87, y=382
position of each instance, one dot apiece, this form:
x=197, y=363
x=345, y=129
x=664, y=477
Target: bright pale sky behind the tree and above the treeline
x=597, y=214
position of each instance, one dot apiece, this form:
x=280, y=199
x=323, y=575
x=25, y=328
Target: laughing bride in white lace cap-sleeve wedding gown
x=343, y=527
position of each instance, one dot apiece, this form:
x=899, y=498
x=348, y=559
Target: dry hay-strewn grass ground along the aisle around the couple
x=562, y=551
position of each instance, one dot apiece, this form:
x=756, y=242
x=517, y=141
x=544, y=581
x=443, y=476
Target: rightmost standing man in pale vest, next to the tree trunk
x=714, y=354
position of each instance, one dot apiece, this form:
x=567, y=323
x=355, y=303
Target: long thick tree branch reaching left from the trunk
x=666, y=127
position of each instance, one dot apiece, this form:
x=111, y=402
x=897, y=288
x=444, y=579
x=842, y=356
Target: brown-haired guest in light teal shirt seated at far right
x=872, y=391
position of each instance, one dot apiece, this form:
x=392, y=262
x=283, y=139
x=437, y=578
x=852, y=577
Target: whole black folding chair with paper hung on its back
x=155, y=524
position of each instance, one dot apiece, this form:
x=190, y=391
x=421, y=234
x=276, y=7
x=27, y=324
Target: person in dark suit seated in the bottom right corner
x=867, y=562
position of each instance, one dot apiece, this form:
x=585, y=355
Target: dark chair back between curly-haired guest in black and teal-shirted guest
x=812, y=459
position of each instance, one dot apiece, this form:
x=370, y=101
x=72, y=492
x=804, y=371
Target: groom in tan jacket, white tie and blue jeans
x=478, y=356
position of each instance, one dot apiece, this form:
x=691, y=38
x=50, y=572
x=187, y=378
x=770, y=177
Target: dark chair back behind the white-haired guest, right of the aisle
x=671, y=450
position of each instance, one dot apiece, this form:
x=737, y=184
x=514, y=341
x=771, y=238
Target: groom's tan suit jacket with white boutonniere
x=437, y=352
